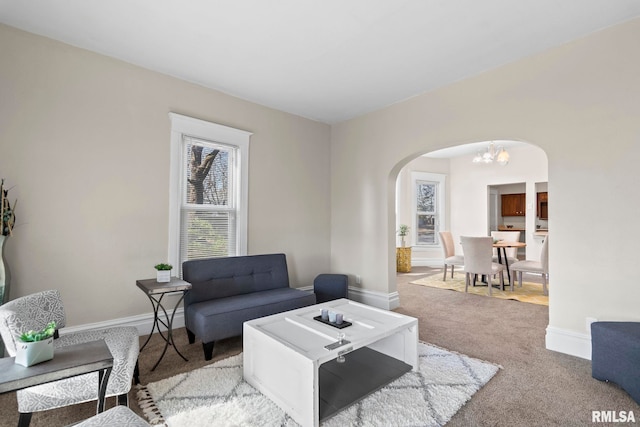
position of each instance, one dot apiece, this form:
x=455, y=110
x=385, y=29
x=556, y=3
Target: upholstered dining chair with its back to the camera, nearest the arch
x=478, y=260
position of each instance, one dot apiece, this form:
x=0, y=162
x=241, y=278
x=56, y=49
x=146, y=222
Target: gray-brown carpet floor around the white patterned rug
x=535, y=387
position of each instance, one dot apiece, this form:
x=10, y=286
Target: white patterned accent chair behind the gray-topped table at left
x=33, y=312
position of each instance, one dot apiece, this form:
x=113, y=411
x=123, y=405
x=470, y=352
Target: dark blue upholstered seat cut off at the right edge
x=615, y=355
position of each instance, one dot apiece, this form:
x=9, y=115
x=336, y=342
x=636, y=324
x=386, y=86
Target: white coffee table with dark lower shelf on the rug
x=285, y=357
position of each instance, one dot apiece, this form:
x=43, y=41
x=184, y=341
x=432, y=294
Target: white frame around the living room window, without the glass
x=184, y=125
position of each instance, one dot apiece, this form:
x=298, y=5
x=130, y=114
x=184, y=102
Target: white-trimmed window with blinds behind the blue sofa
x=208, y=197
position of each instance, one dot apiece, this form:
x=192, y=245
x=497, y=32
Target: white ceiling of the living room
x=328, y=60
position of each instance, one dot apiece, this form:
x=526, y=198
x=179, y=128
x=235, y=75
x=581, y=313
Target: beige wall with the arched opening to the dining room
x=579, y=103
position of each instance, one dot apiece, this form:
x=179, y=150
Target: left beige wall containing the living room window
x=84, y=140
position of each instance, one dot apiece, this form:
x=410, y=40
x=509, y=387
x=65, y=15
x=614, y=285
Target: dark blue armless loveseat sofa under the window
x=226, y=292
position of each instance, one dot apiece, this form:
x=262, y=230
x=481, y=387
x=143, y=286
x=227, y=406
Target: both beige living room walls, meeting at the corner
x=85, y=141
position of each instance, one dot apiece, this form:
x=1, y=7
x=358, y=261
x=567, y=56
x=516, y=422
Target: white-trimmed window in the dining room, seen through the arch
x=428, y=207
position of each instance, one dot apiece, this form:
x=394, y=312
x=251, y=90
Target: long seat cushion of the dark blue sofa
x=221, y=318
